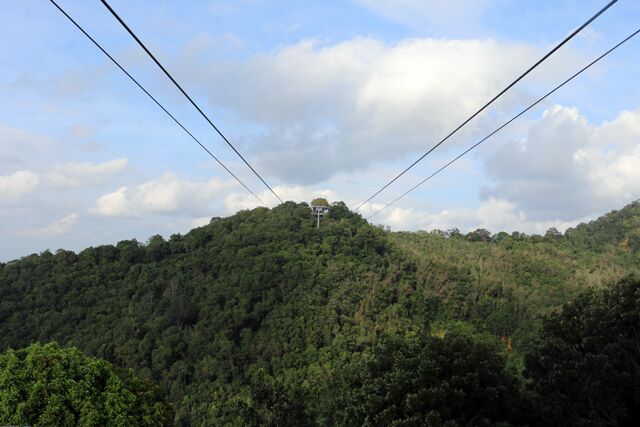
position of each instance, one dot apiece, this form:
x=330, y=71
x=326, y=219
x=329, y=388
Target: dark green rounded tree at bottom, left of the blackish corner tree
x=453, y=380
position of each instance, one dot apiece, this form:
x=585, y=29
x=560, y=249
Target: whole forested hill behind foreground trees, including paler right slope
x=256, y=318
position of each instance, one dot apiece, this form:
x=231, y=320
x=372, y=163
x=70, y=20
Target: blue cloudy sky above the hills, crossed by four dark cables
x=324, y=98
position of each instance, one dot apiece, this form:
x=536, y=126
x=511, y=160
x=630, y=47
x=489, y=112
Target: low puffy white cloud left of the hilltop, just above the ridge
x=164, y=195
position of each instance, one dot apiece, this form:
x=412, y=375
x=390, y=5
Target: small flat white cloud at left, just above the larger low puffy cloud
x=84, y=174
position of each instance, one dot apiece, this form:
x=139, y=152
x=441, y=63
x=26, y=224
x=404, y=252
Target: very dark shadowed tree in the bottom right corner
x=586, y=368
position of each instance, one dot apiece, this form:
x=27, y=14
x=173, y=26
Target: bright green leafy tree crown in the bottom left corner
x=50, y=385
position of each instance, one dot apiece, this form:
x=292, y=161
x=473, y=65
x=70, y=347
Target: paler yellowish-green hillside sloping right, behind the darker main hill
x=503, y=283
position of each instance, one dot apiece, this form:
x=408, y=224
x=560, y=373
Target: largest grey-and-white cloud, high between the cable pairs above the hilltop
x=330, y=108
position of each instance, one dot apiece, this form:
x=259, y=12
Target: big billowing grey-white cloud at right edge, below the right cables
x=567, y=167
